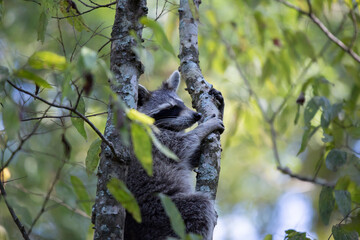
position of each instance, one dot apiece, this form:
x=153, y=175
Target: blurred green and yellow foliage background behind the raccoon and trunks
x=292, y=101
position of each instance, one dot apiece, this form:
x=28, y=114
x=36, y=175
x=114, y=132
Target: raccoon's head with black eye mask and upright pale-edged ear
x=165, y=106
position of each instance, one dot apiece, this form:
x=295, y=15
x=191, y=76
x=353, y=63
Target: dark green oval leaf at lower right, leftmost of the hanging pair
x=326, y=204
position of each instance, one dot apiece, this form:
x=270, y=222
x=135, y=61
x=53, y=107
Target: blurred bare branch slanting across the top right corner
x=323, y=28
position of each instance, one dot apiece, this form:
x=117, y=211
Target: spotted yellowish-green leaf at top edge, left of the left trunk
x=72, y=15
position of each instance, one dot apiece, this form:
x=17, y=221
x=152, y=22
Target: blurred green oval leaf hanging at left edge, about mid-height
x=10, y=116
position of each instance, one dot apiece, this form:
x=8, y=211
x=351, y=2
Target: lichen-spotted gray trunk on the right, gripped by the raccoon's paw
x=205, y=98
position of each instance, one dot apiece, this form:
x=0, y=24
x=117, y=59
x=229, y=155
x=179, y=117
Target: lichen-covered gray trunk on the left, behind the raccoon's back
x=108, y=215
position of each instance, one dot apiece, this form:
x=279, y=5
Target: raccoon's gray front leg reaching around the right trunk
x=192, y=140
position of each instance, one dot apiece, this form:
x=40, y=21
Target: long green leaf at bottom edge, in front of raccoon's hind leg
x=174, y=215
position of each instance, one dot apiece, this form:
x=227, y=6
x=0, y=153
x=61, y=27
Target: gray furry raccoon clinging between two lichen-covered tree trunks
x=170, y=177
